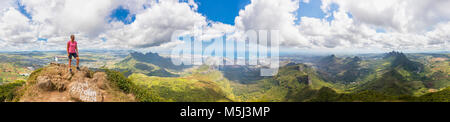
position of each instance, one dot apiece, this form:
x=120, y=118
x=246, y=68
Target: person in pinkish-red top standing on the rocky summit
x=72, y=51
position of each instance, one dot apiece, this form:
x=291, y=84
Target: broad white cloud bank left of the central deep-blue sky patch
x=55, y=20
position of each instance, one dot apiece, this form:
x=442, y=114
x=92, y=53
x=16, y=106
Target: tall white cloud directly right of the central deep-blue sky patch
x=272, y=15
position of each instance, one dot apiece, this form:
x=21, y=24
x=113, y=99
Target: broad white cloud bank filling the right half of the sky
x=417, y=25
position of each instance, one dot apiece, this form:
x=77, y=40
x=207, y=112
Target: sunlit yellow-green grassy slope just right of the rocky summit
x=171, y=89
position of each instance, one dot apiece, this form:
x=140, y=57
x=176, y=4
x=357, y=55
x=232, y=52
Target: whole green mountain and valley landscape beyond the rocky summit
x=392, y=76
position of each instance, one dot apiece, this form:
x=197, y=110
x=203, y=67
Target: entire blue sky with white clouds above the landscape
x=304, y=25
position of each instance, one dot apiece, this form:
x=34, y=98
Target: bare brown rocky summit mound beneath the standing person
x=55, y=83
